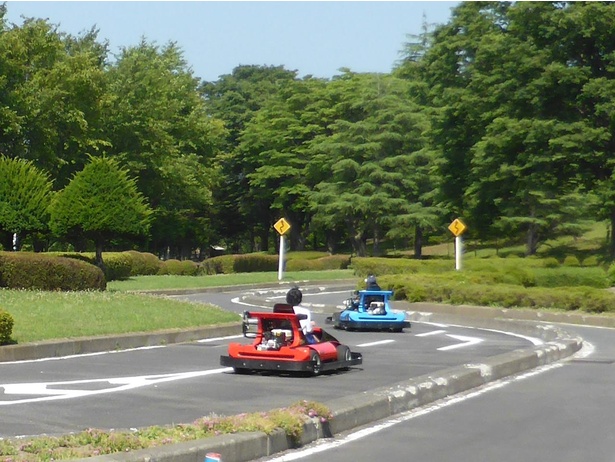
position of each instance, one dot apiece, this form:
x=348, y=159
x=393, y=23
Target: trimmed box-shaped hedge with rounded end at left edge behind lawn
x=21, y=270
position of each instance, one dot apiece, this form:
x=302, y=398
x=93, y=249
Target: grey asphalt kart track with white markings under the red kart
x=180, y=383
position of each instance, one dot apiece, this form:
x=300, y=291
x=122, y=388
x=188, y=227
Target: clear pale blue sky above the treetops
x=315, y=37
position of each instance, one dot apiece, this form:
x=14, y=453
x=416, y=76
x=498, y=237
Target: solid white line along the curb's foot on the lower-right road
x=326, y=444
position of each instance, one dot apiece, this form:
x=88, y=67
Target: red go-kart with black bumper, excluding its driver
x=281, y=344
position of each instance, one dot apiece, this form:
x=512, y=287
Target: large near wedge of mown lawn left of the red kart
x=42, y=315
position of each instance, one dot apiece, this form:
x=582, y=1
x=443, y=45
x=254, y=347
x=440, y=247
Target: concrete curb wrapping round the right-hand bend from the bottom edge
x=354, y=411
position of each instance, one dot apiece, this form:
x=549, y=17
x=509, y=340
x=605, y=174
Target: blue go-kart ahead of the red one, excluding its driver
x=369, y=310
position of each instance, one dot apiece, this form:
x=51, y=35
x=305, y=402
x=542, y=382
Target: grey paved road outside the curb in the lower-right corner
x=563, y=413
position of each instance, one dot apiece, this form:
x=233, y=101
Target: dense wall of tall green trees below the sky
x=504, y=117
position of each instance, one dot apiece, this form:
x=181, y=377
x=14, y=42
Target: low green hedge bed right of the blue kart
x=514, y=282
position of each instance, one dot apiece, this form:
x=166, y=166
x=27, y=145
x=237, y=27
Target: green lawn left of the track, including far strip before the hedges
x=42, y=316
